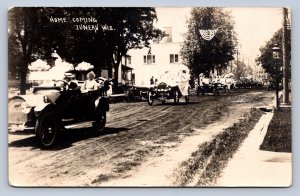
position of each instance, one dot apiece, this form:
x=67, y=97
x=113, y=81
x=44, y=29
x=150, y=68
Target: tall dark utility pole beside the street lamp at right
x=284, y=57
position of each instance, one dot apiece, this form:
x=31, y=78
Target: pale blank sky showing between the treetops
x=254, y=26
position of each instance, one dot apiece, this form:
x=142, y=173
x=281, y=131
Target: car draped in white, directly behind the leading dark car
x=170, y=86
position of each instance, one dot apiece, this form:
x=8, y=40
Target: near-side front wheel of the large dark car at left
x=46, y=129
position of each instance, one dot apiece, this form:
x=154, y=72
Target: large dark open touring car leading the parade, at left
x=50, y=108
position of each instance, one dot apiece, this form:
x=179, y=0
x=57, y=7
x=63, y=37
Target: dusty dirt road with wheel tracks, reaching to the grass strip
x=141, y=146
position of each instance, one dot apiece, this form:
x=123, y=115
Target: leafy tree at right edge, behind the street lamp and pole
x=266, y=59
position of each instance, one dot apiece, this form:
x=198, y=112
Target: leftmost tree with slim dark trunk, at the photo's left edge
x=23, y=41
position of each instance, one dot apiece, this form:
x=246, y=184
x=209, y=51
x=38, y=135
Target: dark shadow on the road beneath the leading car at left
x=66, y=138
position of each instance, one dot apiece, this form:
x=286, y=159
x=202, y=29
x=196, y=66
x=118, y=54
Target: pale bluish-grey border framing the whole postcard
x=292, y=4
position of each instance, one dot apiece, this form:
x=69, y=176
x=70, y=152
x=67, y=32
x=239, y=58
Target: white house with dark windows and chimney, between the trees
x=154, y=61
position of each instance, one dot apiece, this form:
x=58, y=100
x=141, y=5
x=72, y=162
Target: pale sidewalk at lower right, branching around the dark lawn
x=251, y=167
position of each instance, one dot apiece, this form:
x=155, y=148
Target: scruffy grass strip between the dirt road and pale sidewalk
x=211, y=157
